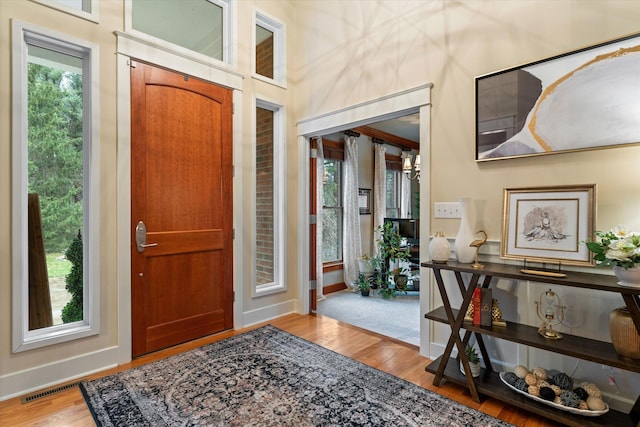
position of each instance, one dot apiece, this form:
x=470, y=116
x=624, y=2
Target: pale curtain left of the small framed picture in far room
x=352, y=246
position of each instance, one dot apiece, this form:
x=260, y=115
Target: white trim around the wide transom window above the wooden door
x=228, y=36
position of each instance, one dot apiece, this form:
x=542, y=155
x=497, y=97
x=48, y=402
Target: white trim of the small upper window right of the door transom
x=279, y=52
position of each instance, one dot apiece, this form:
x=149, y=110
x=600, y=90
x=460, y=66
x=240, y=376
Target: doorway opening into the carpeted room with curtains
x=381, y=148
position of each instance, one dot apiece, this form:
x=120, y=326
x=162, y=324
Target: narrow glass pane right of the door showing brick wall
x=264, y=197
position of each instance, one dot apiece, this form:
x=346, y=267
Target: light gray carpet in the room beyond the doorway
x=397, y=317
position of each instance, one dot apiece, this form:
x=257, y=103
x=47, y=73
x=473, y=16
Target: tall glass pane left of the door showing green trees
x=55, y=187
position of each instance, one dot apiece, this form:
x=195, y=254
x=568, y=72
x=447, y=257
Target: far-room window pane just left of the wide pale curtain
x=332, y=211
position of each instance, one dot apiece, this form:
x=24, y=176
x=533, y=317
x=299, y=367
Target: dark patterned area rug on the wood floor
x=268, y=377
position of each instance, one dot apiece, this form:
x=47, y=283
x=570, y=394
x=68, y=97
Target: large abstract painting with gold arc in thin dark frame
x=586, y=99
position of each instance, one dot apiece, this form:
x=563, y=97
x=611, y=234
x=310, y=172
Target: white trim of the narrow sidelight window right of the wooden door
x=278, y=284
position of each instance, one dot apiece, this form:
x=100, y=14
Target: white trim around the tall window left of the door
x=23, y=339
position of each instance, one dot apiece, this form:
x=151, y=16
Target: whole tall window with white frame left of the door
x=53, y=134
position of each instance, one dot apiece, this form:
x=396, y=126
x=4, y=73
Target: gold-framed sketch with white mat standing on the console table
x=548, y=224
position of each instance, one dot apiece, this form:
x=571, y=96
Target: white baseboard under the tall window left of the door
x=51, y=374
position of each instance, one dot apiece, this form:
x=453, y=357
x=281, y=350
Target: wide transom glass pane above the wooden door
x=193, y=24
